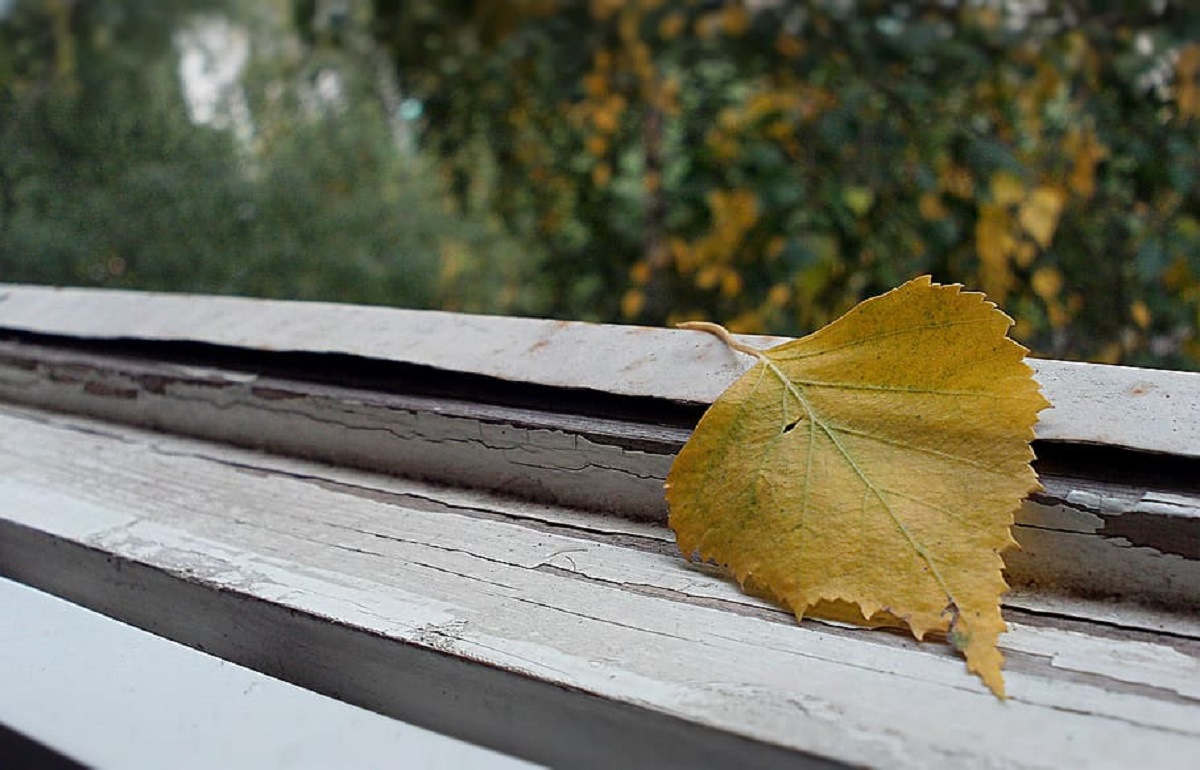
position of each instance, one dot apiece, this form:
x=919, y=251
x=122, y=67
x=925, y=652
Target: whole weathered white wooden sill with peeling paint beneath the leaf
x=459, y=521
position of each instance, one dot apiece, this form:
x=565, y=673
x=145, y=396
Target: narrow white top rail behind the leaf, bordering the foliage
x=1143, y=410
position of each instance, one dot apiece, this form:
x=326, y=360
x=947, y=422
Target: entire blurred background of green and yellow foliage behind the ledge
x=765, y=165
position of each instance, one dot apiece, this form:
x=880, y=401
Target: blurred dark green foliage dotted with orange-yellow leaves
x=769, y=165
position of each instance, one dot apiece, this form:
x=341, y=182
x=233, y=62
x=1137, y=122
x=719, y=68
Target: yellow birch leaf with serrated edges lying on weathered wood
x=877, y=462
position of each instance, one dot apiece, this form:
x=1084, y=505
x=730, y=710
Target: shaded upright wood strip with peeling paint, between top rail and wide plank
x=1130, y=534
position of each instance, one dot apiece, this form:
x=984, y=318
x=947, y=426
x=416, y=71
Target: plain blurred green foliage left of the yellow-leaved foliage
x=106, y=181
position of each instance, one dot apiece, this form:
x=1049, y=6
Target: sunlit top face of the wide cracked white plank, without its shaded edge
x=623, y=623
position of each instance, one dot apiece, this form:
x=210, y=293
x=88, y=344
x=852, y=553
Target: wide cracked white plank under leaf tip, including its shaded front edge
x=599, y=610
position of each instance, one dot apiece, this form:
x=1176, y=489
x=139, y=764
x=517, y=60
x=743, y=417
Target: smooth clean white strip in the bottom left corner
x=111, y=696
